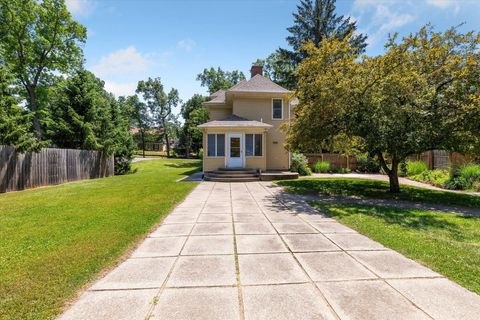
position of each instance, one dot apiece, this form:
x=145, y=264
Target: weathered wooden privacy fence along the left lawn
x=50, y=166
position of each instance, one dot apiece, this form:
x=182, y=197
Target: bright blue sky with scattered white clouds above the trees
x=130, y=40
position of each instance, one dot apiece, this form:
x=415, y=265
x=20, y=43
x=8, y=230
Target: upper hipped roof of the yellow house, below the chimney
x=257, y=84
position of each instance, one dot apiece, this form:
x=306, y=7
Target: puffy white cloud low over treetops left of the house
x=127, y=61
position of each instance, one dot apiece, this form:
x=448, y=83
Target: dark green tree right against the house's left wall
x=194, y=114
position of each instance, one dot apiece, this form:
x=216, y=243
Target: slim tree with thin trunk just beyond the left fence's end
x=140, y=117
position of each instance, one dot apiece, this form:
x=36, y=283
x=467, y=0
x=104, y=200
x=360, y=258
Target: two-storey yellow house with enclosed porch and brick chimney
x=243, y=137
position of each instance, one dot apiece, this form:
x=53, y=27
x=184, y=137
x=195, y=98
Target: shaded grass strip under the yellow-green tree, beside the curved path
x=378, y=190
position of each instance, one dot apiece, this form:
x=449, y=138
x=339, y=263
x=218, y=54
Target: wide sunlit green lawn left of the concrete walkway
x=54, y=240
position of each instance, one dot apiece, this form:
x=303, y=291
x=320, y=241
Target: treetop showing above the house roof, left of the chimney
x=217, y=79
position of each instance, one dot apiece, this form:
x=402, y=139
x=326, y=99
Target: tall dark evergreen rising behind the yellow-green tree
x=314, y=21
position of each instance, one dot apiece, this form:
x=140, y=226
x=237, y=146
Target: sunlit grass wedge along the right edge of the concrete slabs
x=447, y=243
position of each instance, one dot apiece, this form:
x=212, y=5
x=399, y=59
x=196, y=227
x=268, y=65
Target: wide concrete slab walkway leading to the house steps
x=251, y=251
